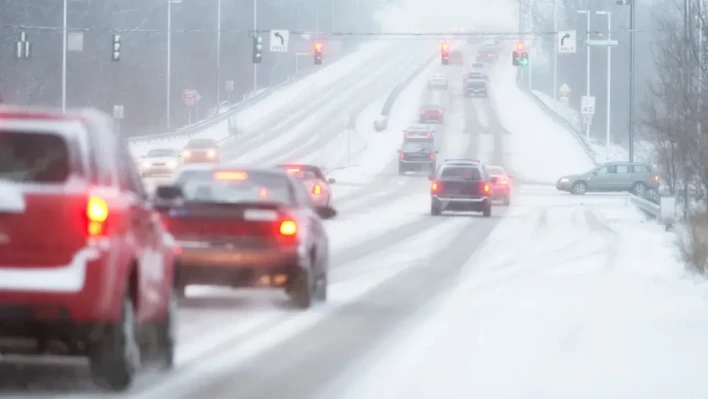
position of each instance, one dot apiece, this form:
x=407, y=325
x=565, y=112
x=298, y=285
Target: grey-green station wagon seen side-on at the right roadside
x=637, y=178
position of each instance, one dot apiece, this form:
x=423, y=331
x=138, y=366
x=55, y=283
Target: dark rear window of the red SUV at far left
x=34, y=157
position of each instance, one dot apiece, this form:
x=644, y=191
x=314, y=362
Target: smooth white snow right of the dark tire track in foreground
x=567, y=298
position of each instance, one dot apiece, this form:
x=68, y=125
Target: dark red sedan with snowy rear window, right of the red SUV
x=247, y=227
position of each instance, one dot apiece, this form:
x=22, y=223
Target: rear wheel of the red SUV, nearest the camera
x=115, y=358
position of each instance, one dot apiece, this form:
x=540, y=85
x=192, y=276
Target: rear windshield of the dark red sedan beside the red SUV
x=231, y=186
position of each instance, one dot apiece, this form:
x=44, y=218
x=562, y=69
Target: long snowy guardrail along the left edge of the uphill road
x=193, y=129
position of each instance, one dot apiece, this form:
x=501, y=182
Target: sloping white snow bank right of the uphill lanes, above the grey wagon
x=542, y=150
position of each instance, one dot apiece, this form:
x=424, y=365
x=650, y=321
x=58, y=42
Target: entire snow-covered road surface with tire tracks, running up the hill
x=553, y=297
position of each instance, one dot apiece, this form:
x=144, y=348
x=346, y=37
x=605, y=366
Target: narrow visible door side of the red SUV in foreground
x=147, y=243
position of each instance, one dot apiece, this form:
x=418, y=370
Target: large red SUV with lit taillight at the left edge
x=86, y=267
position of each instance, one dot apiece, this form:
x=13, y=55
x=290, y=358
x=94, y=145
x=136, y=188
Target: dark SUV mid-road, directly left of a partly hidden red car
x=461, y=186
